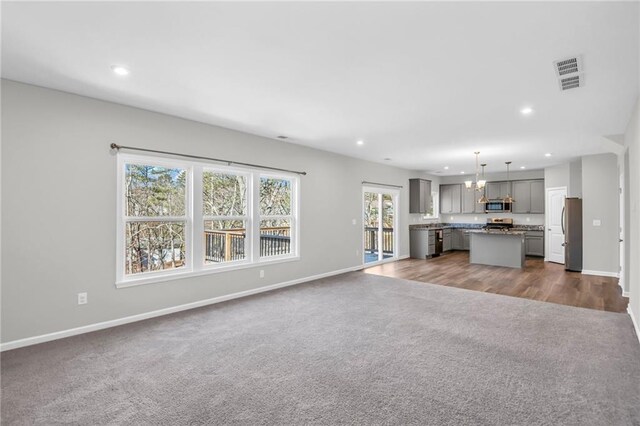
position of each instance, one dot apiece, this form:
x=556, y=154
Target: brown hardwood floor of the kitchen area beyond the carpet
x=539, y=280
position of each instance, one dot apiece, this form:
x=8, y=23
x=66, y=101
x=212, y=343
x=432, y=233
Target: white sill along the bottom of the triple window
x=206, y=270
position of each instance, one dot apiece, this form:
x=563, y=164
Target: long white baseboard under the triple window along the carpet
x=165, y=311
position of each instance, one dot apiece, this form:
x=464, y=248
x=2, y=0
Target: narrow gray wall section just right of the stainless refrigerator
x=600, y=202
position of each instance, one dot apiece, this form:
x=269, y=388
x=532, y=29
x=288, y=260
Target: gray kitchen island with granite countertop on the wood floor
x=497, y=248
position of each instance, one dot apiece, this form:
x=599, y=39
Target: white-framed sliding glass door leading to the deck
x=379, y=213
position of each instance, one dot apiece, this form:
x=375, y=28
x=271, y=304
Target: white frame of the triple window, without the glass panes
x=194, y=226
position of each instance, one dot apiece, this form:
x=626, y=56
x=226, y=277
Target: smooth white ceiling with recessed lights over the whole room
x=425, y=84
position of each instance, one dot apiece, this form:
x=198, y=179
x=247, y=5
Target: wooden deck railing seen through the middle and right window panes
x=228, y=244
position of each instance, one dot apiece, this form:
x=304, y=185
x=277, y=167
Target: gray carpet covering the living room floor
x=352, y=349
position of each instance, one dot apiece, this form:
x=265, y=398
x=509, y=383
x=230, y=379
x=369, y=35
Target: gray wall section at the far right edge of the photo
x=632, y=233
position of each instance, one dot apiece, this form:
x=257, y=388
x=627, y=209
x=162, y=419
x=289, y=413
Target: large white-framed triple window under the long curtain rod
x=186, y=218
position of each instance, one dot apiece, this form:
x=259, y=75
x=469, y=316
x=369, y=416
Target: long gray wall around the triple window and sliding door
x=59, y=209
